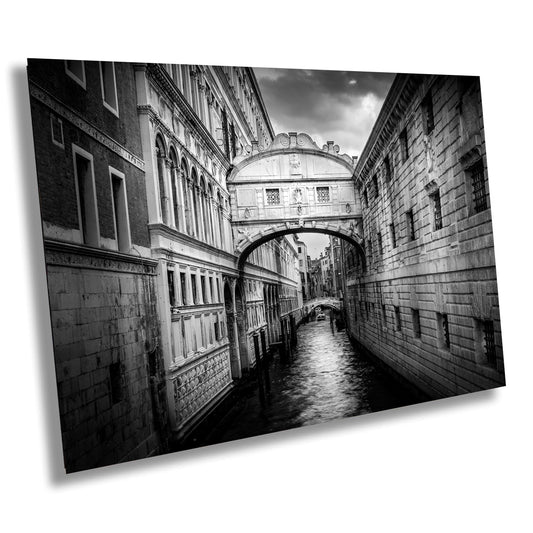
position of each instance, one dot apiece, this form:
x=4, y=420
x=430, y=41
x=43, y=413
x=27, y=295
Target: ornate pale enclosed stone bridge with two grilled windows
x=293, y=186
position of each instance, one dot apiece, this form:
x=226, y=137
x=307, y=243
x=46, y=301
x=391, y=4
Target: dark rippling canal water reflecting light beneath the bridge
x=325, y=380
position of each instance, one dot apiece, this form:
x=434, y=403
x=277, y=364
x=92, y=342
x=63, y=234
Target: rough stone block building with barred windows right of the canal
x=424, y=299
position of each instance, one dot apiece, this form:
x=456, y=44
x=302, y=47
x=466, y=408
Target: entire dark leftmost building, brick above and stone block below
x=101, y=279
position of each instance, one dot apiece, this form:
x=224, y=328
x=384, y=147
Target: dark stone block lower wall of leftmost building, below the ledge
x=106, y=344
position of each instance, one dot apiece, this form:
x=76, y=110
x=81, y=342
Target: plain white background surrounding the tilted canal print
x=462, y=464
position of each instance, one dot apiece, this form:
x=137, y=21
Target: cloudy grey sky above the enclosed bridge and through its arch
x=339, y=106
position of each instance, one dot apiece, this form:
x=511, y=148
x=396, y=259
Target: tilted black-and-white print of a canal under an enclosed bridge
x=214, y=275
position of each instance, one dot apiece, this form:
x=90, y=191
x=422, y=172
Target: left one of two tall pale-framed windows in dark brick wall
x=86, y=192
